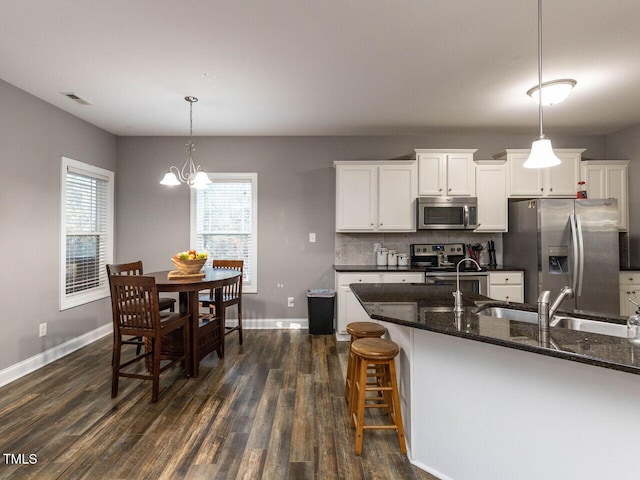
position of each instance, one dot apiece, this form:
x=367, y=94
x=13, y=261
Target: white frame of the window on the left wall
x=75, y=299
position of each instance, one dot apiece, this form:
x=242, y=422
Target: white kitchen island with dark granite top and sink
x=482, y=399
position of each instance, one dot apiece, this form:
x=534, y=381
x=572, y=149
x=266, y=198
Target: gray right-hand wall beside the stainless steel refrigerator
x=625, y=145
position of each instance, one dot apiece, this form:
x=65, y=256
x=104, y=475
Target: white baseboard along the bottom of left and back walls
x=32, y=364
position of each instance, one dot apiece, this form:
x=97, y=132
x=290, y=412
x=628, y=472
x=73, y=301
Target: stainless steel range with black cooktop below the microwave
x=440, y=260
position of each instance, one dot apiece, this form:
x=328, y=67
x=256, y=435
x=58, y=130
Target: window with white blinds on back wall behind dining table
x=224, y=221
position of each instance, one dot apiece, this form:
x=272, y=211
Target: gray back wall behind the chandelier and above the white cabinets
x=296, y=195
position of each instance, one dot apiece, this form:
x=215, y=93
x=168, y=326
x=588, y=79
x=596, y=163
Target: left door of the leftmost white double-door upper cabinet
x=356, y=198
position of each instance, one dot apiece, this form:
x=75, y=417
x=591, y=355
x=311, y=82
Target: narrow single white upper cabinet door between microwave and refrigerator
x=491, y=190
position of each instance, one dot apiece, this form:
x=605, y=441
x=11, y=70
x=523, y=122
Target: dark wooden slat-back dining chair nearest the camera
x=134, y=302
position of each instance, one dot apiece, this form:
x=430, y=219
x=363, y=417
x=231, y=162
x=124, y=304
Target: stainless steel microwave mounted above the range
x=447, y=213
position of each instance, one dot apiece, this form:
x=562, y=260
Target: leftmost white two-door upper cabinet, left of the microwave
x=376, y=196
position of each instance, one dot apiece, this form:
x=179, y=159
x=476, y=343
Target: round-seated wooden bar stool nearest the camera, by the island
x=374, y=358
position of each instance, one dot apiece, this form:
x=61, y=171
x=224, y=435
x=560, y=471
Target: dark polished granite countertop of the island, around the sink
x=430, y=307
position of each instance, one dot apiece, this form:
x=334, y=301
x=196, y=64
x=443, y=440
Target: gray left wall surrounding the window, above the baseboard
x=33, y=137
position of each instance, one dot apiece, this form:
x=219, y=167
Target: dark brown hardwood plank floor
x=272, y=409
